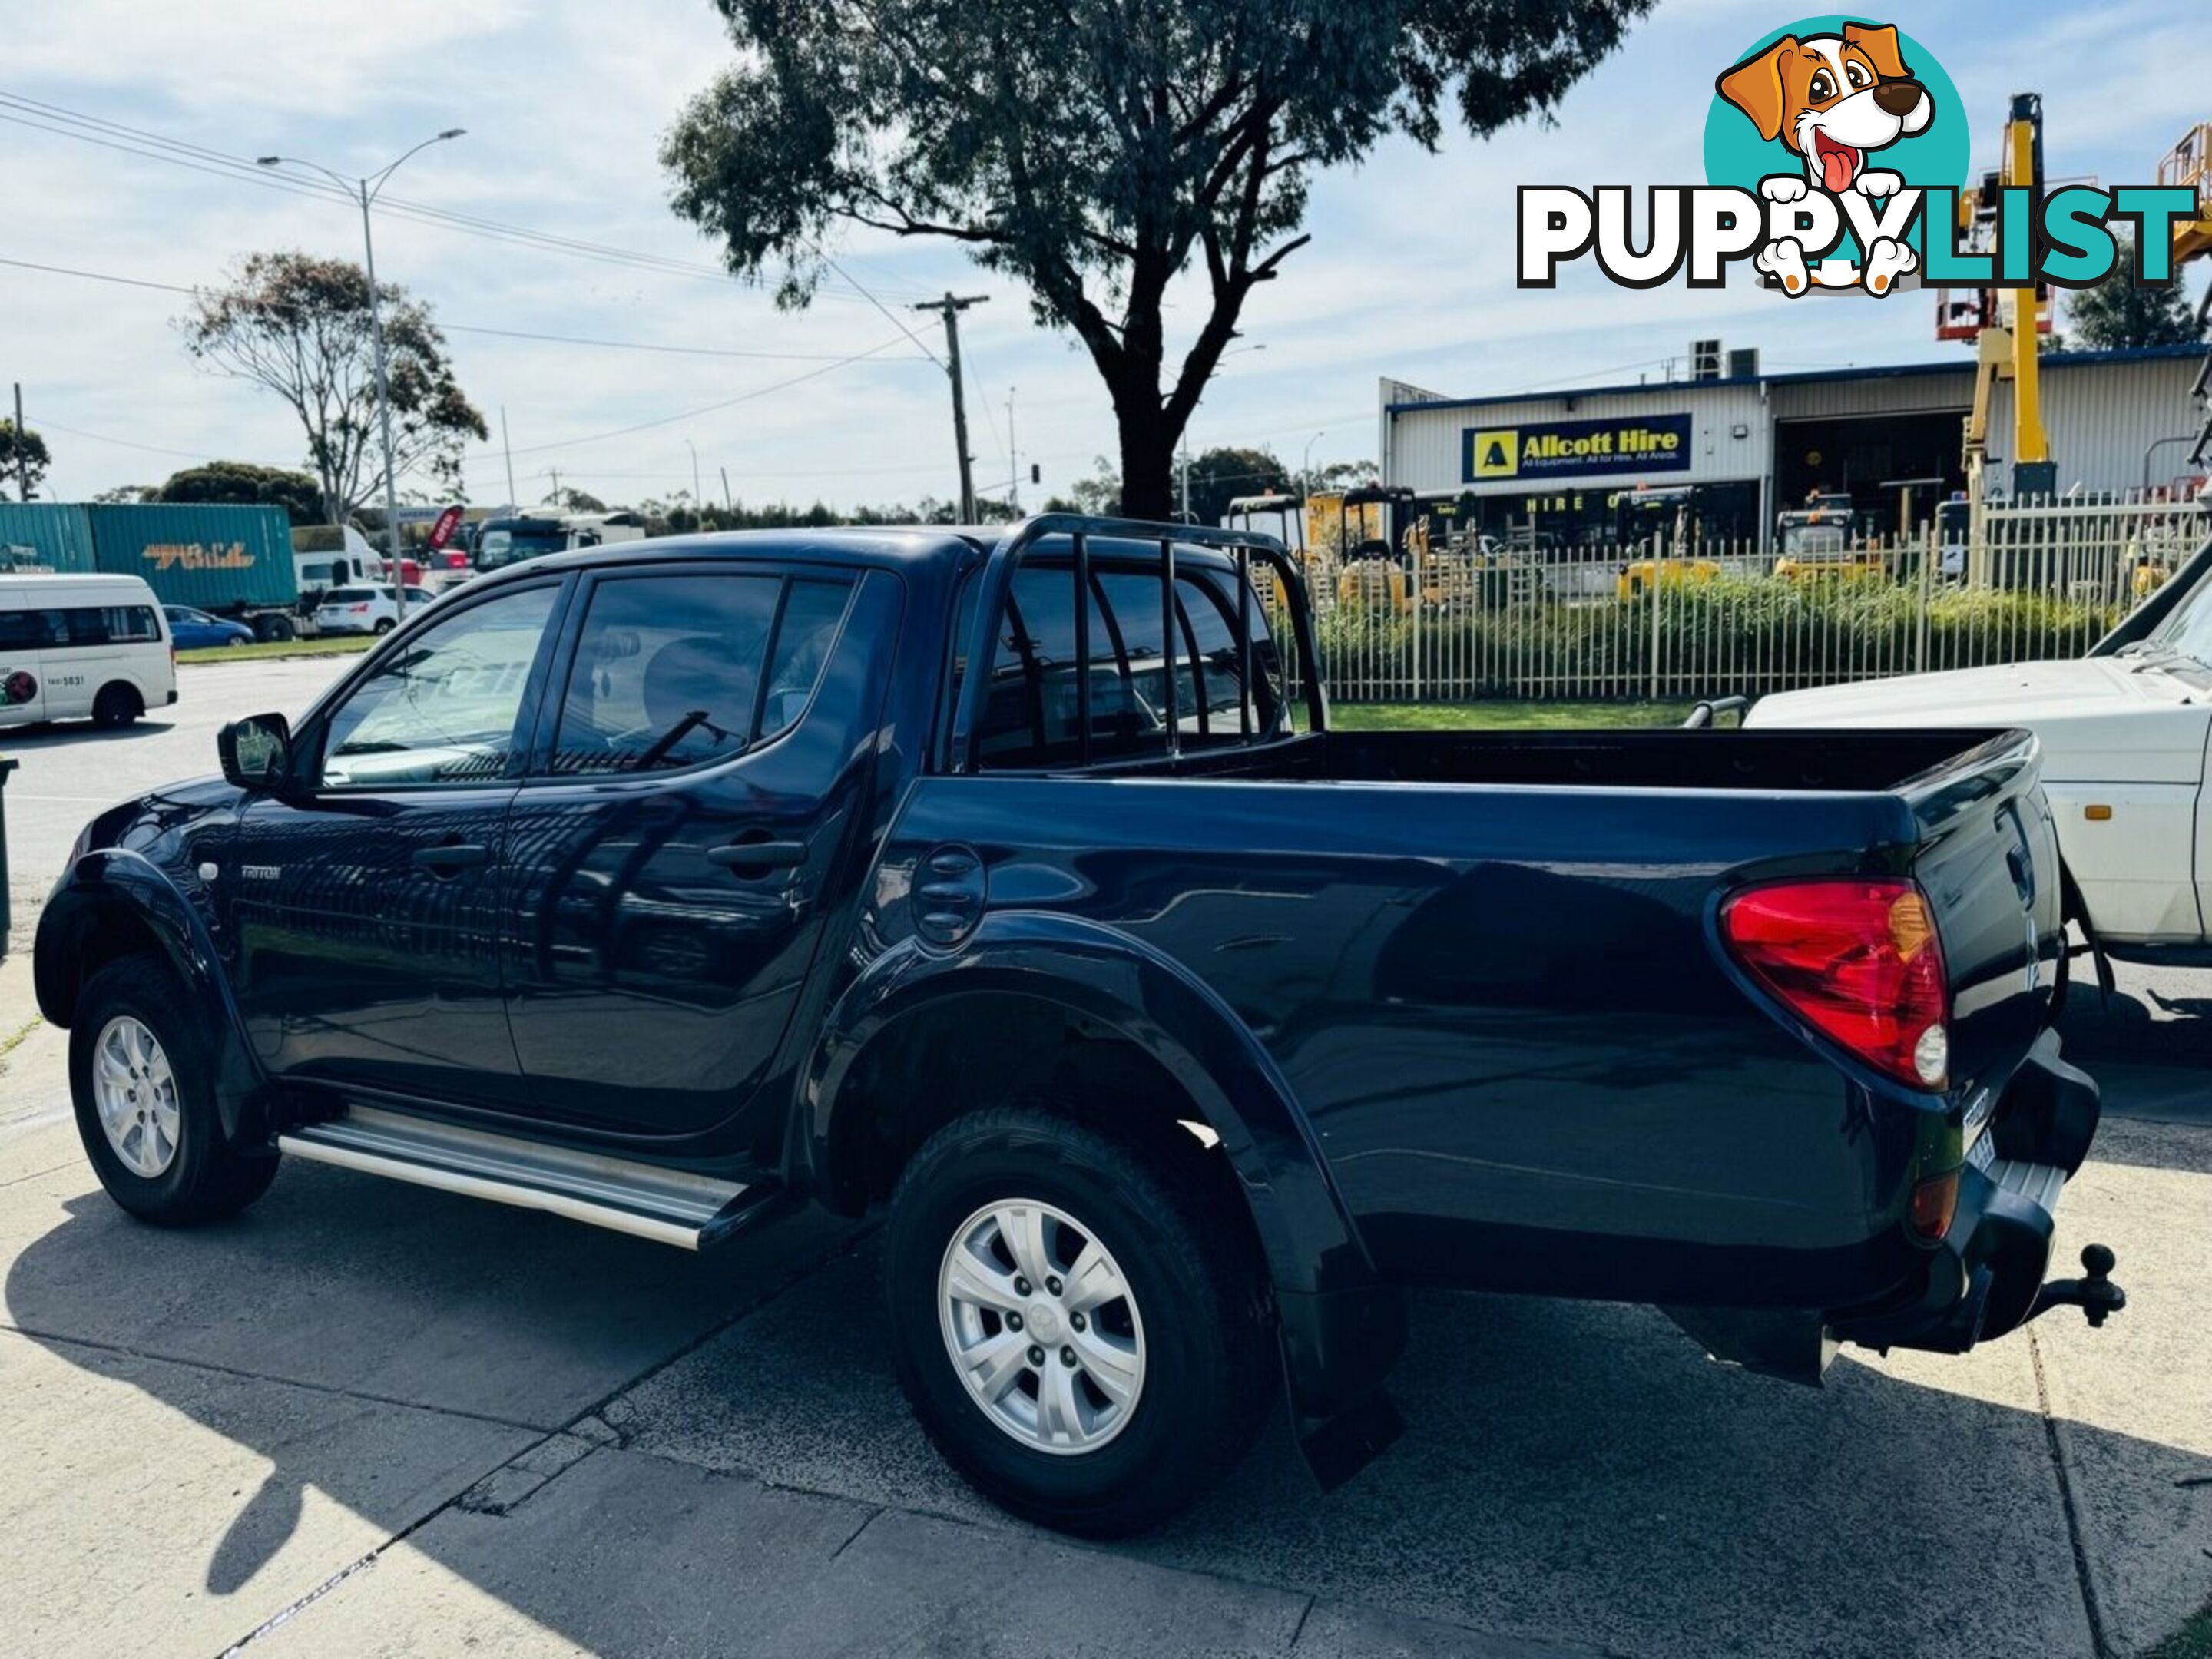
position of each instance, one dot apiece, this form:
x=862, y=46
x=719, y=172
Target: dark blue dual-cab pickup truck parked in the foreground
x=1016, y=890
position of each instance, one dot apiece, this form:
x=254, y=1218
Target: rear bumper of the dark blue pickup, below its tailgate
x=1987, y=1273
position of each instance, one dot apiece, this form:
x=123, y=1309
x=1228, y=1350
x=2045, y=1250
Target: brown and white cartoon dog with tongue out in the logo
x=1833, y=101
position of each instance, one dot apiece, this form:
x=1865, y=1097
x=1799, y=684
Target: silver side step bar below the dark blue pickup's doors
x=643, y=1200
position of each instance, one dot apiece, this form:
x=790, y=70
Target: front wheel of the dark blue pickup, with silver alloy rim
x=143, y=1078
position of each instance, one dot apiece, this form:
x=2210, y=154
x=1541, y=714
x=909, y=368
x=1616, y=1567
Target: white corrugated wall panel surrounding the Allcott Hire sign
x=1426, y=444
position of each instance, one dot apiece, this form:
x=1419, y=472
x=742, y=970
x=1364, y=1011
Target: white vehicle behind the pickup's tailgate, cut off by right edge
x=2125, y=766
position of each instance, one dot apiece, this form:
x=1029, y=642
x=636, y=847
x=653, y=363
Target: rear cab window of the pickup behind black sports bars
x=1032, y=716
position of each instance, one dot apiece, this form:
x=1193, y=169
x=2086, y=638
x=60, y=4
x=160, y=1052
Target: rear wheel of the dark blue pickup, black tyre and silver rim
x=1125, y=1384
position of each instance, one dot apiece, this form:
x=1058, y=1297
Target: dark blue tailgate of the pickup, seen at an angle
x=1990, y=866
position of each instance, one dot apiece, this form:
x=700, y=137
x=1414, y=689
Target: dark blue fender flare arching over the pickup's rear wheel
x=1165, y=1010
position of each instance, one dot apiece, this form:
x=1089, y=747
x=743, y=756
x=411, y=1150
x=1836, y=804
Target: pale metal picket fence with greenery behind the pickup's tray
x=1545, y=623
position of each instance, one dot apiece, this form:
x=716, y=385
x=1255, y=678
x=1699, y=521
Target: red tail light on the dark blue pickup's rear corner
x=1859, y=961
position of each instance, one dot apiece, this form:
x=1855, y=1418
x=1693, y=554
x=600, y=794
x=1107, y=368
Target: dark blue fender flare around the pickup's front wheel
x=109, y=881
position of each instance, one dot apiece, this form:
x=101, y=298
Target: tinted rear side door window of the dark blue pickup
x=669, y=669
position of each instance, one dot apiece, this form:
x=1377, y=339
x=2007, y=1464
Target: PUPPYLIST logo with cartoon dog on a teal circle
x=1835, y=160
